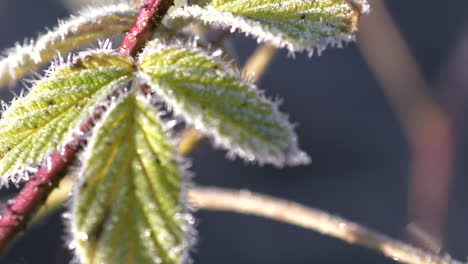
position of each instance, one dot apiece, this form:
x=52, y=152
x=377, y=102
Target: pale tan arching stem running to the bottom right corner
x=290, y=212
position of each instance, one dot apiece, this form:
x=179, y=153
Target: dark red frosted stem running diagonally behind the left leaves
x=35, y=192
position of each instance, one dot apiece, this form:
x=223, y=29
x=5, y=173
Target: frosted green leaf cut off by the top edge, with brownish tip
x=298, y=25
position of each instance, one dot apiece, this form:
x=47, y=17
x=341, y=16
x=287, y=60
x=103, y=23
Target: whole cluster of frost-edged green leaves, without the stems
x=128, y=204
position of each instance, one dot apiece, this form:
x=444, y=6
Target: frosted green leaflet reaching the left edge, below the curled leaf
x=37, y=125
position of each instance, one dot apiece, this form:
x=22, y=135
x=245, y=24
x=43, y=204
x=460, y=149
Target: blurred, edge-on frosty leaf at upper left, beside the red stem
x=71, y=34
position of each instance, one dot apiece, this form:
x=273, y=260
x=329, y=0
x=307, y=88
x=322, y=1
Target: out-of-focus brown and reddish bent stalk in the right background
x=425, y=124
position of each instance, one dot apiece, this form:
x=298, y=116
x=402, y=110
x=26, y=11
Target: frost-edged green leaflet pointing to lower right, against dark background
x=209, y=94
